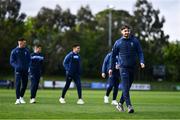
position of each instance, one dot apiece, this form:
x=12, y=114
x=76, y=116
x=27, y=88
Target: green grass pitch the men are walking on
x=147, y=105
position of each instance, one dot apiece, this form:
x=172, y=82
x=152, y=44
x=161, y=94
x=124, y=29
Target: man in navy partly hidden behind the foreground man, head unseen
x=112, y=80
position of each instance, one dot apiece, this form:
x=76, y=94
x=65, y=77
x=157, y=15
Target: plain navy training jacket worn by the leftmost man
x=20, y=59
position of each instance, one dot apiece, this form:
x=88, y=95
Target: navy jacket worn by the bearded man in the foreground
x=127, y=50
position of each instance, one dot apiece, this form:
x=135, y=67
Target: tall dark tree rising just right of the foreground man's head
x=147, y=27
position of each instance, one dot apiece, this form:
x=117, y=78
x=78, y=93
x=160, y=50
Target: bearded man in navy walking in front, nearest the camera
x=128, y=48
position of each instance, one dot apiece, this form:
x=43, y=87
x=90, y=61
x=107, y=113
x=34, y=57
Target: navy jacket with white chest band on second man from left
x=36, y=62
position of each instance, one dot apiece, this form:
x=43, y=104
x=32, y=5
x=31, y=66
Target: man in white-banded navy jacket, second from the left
x=35, y=71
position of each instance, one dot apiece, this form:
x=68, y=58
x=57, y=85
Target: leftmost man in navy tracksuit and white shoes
x=20, y=59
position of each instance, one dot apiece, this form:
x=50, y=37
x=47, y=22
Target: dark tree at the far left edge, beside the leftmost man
x=12, y=27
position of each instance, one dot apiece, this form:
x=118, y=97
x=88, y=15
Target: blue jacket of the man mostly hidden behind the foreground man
x=106, y=63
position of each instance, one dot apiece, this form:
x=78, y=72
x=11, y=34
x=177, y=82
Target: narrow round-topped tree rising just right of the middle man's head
x=90, y=40
